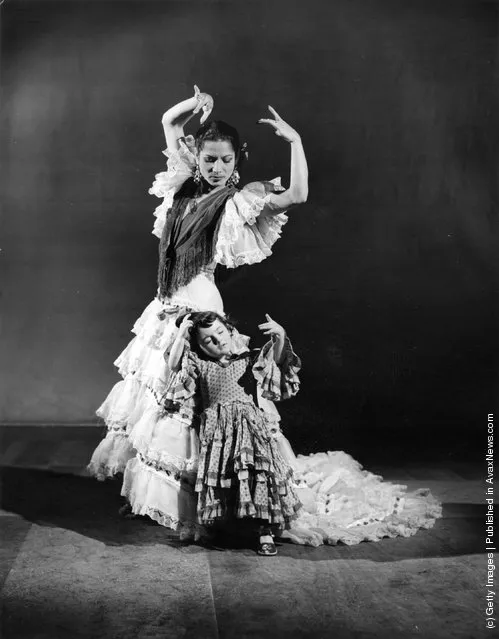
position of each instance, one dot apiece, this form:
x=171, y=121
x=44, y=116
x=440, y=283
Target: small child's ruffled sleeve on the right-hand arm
x=281, y=381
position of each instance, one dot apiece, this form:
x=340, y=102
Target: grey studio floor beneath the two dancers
x=70, y=567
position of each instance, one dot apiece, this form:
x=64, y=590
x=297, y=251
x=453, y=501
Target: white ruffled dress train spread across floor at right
x=344, y=503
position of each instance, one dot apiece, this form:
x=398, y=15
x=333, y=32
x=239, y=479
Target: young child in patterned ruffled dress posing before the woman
x=241, y=472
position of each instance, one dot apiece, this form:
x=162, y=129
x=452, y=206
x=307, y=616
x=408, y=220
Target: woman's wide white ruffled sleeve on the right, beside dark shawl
x=246, y=235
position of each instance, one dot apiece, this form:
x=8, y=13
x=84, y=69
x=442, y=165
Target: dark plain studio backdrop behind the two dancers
x=386, y=278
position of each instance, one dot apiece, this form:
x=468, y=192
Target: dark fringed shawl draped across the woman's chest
x=188, y=243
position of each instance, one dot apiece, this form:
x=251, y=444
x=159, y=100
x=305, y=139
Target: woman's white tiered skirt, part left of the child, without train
x=156, y=452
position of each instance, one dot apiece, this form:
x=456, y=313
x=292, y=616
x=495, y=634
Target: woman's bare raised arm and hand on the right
x=297, y=192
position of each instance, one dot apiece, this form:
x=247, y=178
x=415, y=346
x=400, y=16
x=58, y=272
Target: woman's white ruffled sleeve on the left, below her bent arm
x=181, y=164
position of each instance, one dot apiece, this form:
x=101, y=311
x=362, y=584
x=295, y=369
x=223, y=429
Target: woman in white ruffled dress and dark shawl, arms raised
x=204, y=220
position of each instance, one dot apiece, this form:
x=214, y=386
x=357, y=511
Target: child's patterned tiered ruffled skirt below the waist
x=241, y=471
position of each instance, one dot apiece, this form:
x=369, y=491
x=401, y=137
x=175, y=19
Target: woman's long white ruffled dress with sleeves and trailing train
x=158, y=453
